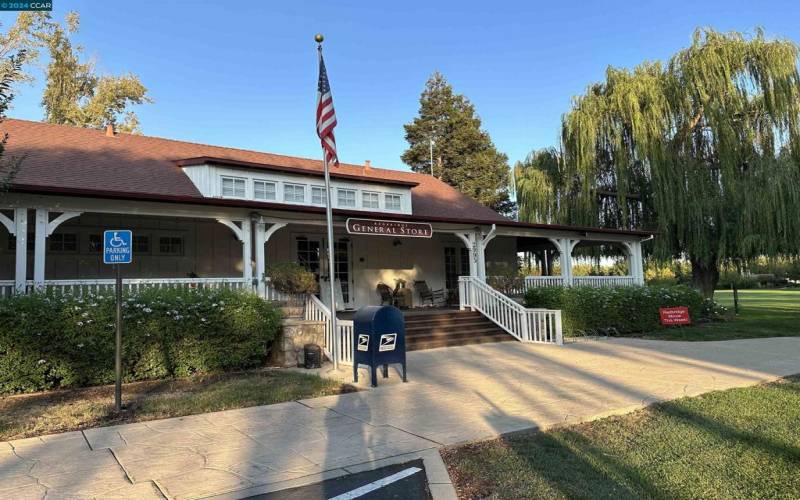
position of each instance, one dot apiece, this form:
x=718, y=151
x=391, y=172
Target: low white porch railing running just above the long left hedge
x=80, y=287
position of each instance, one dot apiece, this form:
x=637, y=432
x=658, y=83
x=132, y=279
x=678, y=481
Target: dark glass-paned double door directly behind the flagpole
x=311, y=252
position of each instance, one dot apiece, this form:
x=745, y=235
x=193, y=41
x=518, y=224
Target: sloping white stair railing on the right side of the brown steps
x=526, y=325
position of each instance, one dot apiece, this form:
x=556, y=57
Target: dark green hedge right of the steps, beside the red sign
x=628, y=309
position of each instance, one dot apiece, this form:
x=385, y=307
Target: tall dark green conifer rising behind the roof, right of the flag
x=464, y=155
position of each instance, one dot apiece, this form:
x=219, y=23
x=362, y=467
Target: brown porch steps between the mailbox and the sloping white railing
x=451, y=328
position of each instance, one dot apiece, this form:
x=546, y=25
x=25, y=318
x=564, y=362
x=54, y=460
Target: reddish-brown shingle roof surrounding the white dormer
x=73, y=159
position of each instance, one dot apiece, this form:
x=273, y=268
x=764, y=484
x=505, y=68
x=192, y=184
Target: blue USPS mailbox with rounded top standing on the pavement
x=380, y=339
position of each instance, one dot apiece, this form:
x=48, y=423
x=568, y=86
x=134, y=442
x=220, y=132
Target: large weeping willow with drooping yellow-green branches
x=707, y=146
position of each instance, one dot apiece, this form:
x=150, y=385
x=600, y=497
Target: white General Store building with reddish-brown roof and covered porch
x=205, y=215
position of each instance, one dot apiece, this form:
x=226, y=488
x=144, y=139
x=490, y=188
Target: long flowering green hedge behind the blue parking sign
x=54, y=341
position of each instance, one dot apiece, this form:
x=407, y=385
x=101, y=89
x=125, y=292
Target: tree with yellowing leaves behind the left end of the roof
x=76, y=95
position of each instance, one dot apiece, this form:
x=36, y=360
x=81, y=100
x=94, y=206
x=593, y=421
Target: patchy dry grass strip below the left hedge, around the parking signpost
x=67, y=410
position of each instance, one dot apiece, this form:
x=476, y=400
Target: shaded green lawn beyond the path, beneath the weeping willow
x=762, y=313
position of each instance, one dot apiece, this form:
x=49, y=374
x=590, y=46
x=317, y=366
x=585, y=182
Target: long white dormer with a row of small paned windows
x=222, y=178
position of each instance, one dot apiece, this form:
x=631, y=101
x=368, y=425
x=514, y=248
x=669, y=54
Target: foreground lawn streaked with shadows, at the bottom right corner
x=738, y=443
